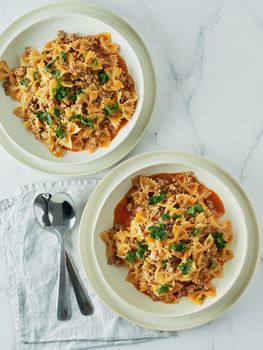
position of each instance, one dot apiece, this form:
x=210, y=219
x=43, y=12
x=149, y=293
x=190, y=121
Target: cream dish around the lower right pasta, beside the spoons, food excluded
x=109, y=281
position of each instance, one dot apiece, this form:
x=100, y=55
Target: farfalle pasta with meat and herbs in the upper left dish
x=74, y=95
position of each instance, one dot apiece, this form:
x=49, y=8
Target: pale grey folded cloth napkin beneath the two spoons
x=31, y=259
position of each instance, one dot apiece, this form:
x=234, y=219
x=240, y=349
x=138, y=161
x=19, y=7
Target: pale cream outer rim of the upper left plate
x=149, y=85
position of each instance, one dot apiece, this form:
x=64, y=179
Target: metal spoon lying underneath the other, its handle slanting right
x=41, y=214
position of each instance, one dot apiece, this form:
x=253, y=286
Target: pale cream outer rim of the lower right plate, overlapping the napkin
x=171, y=323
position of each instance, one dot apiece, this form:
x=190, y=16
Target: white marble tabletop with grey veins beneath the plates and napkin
x=208, y=57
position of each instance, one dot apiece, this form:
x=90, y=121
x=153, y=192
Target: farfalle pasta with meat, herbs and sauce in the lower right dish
x=168, y=231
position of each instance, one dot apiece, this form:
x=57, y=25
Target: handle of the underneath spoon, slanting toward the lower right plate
x=83, y=300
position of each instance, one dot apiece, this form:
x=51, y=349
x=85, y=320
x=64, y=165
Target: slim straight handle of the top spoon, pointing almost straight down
x=62, y=304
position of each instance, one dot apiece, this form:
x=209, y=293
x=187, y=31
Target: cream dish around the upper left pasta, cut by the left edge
x=38, y=27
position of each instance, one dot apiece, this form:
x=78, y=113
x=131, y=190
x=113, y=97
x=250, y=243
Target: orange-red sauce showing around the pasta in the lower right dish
x=123, y=217
